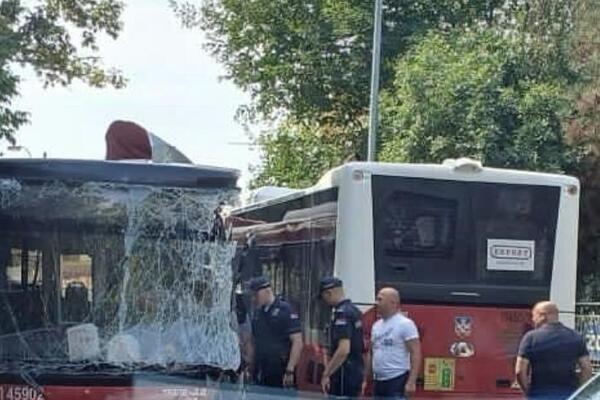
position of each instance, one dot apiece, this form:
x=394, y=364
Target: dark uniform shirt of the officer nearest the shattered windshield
x=272, y=326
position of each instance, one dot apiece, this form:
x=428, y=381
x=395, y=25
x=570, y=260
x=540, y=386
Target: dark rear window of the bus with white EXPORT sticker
x=455, y=241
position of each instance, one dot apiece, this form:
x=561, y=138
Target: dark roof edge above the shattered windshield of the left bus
x=127, y=172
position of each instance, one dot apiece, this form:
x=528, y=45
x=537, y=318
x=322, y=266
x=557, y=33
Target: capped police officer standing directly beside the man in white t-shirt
x=343, y=372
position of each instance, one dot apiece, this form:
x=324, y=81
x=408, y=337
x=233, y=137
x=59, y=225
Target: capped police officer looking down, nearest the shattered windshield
x=277, y=337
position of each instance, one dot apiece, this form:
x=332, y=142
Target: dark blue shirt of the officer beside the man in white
x=346, y=324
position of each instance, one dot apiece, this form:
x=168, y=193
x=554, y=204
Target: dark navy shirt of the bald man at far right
x=553, y=351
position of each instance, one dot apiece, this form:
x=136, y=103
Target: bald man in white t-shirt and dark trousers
x=395, y=355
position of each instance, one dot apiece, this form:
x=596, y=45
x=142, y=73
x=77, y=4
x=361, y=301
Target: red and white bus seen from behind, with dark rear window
x=470, y=248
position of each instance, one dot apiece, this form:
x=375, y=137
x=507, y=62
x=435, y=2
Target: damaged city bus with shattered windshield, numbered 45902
x=112, y=271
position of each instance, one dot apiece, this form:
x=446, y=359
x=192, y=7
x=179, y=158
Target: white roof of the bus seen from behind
x=460, y=170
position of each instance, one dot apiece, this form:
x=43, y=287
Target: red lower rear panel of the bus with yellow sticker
x=468, y=350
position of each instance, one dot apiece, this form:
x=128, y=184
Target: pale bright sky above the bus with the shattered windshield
x=173, y=90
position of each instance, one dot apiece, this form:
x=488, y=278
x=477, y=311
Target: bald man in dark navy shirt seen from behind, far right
x=548, y=357
